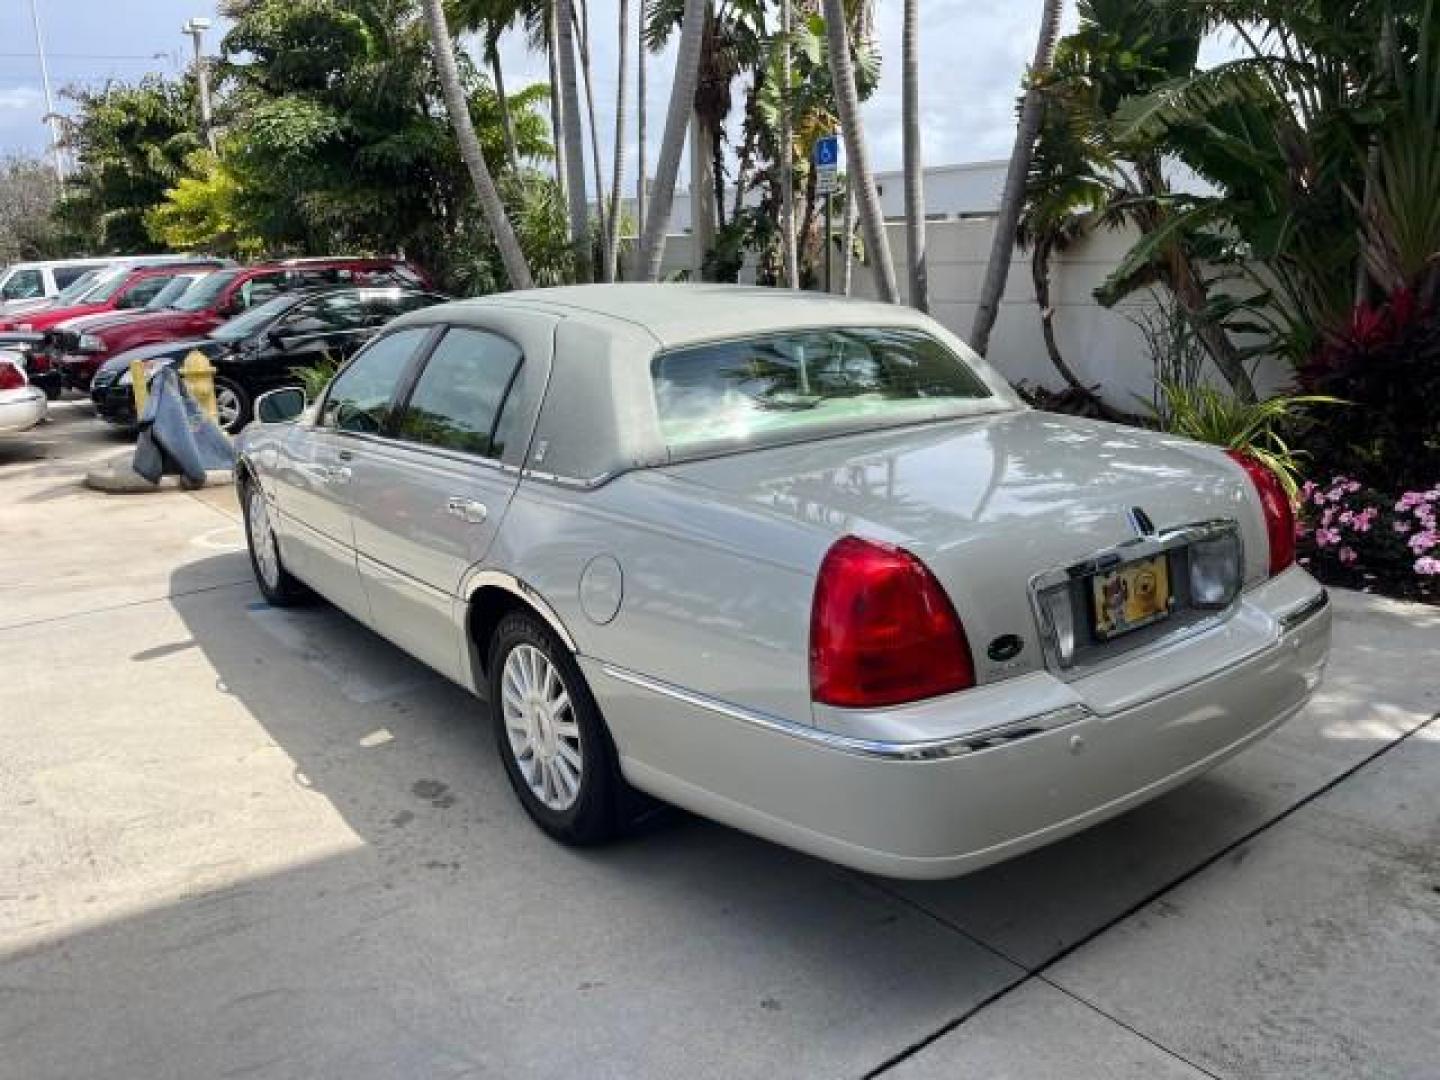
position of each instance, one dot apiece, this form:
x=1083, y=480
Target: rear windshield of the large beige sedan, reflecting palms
x=807, y=382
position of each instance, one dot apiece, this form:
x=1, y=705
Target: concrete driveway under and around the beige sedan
x=240, y=842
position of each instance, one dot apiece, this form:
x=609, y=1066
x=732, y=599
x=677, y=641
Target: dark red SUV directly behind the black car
x=210, y=303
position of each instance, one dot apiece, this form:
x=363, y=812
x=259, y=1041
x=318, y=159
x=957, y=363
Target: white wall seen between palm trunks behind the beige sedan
x=1102, y=346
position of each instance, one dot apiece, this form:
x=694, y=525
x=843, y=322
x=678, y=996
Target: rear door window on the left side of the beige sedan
x=460, y=397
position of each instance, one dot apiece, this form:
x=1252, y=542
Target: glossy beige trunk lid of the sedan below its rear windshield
x=990, y=503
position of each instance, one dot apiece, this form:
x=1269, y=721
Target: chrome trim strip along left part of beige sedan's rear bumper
x=924, y=751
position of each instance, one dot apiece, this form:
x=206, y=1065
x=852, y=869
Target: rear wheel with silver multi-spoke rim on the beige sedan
x=551, y=734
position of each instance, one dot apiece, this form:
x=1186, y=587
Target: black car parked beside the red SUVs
x=261, y=349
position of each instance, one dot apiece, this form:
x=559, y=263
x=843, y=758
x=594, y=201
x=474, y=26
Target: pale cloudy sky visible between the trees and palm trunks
x=973, y=55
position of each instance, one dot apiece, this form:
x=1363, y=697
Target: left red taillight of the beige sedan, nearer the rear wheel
x=882, y=630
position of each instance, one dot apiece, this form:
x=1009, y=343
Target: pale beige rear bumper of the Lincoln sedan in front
x=1039, y=761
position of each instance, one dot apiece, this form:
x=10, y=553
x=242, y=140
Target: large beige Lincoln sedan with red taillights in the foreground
x=801, y=565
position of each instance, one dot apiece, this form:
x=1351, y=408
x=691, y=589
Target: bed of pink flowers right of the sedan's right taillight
x=1359, y=538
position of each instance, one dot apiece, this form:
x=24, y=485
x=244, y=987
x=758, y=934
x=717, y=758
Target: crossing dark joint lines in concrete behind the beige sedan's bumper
x=1040, y=971
